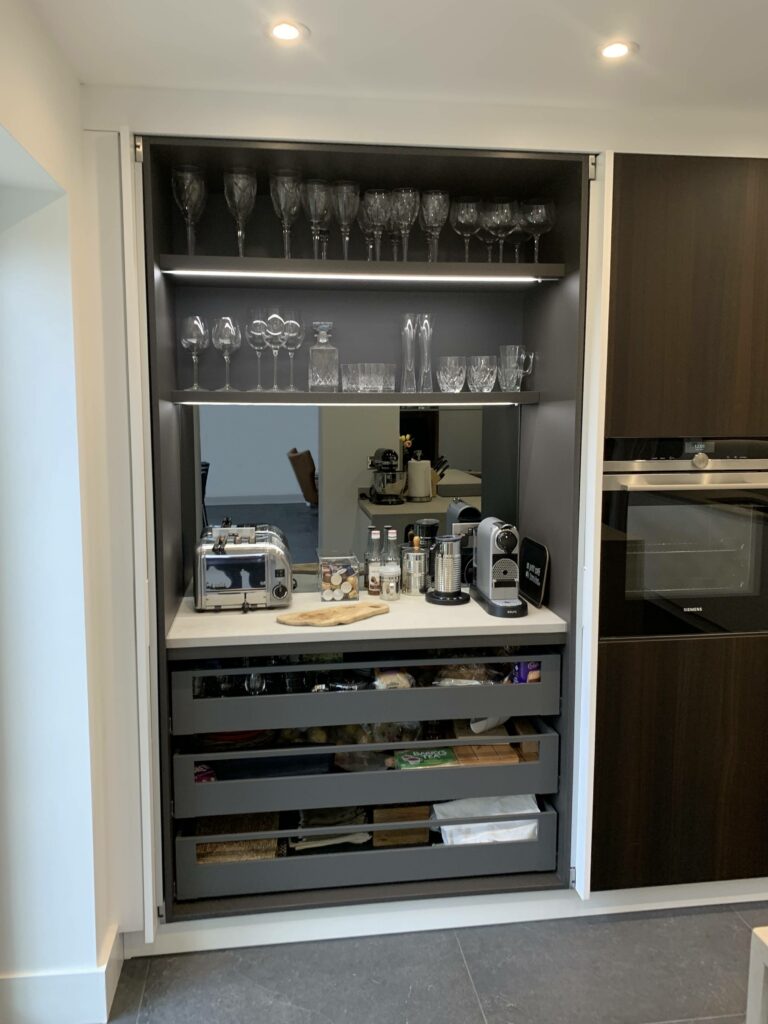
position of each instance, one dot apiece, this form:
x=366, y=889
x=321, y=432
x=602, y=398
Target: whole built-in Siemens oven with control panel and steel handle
x=685, y=544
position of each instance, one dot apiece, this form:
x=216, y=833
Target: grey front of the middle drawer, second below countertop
x=269, y=793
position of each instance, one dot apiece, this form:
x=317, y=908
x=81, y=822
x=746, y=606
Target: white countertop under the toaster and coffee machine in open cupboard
x=409, y=617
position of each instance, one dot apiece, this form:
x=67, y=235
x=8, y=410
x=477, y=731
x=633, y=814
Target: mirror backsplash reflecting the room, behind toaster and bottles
x=306, y=470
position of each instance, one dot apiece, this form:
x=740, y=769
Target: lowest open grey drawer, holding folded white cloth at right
x=199, y=875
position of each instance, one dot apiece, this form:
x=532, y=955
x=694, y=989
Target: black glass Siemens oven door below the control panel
x=685, y=562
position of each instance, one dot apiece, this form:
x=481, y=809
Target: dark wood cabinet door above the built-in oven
x=689, y=323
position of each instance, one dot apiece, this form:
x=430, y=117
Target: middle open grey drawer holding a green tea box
x=279, y=780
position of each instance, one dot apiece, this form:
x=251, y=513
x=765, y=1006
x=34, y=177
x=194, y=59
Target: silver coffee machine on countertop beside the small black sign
x=497, y=571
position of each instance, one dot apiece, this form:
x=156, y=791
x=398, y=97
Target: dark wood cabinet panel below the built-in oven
x=681, y=772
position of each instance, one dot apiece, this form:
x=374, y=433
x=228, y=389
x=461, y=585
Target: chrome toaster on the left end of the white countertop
x=242, y=568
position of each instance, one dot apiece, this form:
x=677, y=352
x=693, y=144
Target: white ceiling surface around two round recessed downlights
x=535, y=53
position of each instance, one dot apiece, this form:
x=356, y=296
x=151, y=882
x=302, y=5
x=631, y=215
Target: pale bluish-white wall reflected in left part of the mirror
x=247, y=451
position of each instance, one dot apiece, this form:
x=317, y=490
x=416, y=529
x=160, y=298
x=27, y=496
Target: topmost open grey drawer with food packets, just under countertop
x=217, y=701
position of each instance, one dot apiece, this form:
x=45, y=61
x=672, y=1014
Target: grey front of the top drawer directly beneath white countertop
x=219, y=714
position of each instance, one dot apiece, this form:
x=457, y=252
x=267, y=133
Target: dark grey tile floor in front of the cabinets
x=629, y=969
